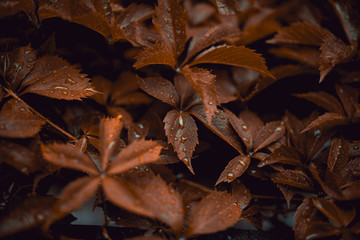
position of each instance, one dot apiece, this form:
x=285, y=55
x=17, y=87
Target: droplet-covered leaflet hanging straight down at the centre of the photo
x=181, y=131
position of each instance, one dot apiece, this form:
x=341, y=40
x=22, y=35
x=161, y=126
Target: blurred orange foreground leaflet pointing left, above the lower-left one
x=66, y=155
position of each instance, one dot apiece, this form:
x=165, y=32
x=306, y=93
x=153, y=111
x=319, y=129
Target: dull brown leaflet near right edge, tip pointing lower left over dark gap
x=327, y=120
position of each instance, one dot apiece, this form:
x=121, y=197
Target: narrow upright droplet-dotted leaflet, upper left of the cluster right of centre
x=241, y=129
